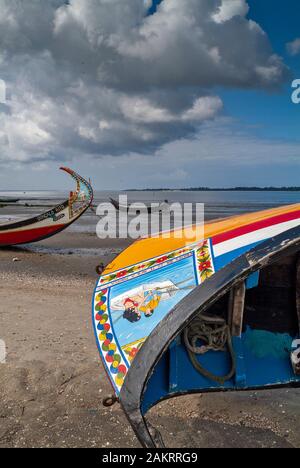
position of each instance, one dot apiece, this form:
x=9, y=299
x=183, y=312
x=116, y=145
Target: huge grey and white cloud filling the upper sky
x=102, y=77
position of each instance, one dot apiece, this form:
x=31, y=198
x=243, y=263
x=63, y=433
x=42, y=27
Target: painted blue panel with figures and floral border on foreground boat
x=129, y=304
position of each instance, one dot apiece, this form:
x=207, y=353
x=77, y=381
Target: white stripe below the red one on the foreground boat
x=252, y=237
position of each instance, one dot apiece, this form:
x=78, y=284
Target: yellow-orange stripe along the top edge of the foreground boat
x=146, y=249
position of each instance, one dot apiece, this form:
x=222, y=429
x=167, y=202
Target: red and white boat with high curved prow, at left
x=51, y=222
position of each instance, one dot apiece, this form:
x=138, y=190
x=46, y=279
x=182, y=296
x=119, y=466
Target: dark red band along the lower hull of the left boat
x=30, y=235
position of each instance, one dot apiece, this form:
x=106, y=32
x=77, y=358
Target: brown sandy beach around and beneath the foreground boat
x=52, y=383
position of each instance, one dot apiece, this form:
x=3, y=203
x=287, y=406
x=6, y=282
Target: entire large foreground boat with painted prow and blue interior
x=220, y=314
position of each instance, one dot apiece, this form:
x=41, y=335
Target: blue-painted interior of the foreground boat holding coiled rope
x=262, y=315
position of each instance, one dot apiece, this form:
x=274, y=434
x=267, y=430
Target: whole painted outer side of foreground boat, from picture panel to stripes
x=130, y=301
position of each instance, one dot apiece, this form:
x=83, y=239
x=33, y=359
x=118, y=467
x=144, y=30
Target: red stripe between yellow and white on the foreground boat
x=265, y=223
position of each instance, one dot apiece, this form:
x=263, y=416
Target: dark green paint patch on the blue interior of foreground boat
x=262, y=344
